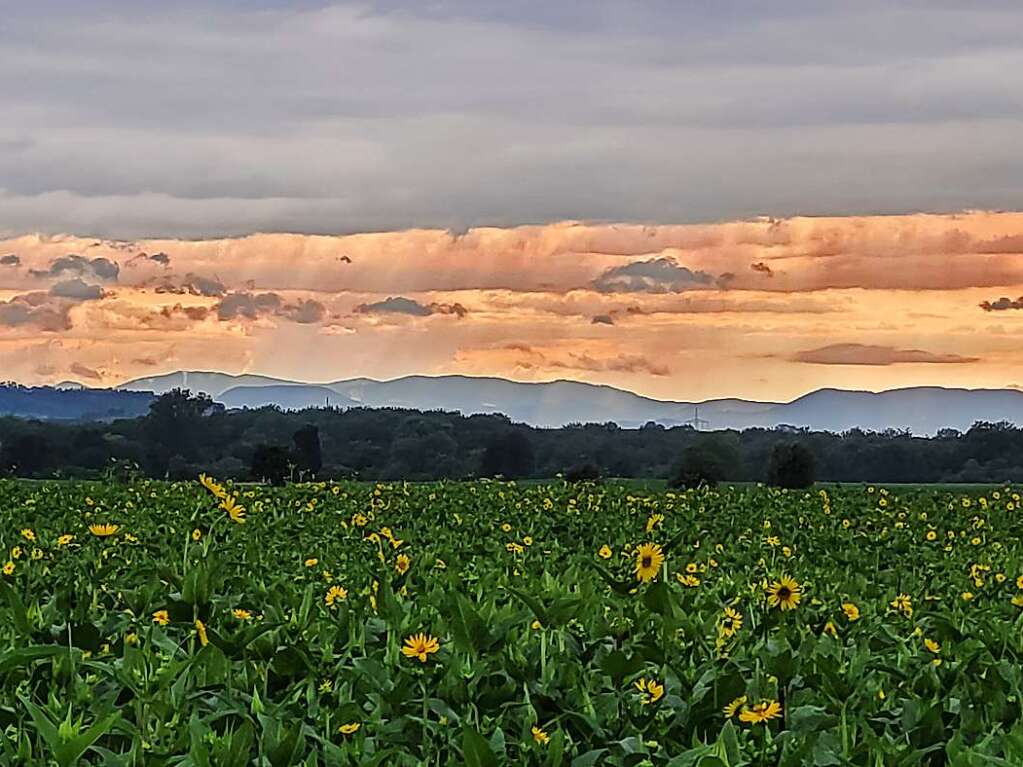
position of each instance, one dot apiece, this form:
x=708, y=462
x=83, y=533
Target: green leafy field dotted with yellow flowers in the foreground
x=487, y=624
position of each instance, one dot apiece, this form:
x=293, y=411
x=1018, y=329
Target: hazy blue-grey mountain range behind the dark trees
x=923, y=411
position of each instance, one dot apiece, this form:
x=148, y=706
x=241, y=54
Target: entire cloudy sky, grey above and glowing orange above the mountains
x=689, y=200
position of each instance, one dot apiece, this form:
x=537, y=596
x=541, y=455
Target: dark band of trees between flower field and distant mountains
x=184, y=434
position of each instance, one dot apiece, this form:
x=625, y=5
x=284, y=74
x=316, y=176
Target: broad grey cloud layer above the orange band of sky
x=113, y=127
